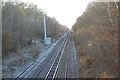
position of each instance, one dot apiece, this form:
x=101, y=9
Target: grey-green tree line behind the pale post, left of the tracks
x=21, y=22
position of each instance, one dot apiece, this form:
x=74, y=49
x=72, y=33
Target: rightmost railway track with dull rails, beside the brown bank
x=68, y=65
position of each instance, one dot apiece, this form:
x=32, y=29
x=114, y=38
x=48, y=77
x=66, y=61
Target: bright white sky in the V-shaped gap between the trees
x=64, y=11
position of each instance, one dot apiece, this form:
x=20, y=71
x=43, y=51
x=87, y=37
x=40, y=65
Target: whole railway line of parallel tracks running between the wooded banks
x=57, y=63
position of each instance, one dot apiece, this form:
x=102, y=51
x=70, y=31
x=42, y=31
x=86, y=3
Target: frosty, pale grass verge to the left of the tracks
x=14, y=64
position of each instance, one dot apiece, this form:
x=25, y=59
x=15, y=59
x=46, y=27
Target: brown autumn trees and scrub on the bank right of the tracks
x=96, y=34
